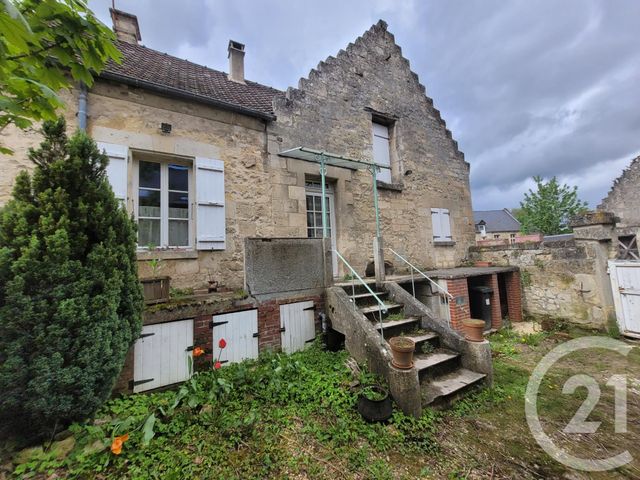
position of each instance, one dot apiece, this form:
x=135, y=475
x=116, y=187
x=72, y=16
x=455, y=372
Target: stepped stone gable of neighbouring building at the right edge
x=624, y=198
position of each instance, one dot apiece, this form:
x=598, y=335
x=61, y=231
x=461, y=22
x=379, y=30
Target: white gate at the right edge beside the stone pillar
x=625, y=284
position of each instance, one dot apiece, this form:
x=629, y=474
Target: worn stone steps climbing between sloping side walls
x=442, y=377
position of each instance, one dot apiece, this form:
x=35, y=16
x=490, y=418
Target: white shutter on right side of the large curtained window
x=210, y=216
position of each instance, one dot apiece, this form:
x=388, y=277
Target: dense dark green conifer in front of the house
x=70, y=299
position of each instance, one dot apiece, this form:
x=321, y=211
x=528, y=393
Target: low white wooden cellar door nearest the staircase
x=297, y=325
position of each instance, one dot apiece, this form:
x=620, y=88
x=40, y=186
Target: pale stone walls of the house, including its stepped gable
x=265, y=194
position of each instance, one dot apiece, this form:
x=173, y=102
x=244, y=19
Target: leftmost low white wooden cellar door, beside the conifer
x=161, y=355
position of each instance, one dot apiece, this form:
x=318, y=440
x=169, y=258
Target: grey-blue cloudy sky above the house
x=543, y=87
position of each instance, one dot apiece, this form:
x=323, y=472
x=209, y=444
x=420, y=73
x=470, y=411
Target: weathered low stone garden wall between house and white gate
x=561, y=279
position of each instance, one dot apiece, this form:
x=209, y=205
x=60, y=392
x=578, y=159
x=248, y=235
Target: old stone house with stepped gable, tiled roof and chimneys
x=199, y=157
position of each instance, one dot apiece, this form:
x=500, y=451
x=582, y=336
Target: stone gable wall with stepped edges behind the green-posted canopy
x=331, y=111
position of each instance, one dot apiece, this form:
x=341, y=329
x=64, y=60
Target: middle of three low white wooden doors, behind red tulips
x=240, y=332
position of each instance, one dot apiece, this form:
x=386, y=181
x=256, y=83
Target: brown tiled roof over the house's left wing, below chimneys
x=146, y=67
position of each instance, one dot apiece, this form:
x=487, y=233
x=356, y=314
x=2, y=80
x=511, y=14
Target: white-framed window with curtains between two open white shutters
x=163, y=204
